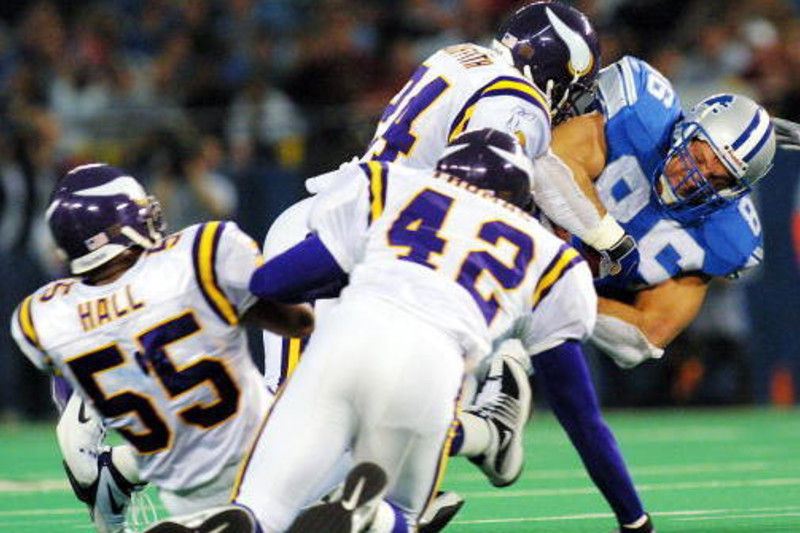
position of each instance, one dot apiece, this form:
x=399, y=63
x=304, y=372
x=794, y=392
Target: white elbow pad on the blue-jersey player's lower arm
x=623, y=342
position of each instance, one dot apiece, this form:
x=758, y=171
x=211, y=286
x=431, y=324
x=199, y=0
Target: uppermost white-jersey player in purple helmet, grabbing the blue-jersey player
x=545, y=60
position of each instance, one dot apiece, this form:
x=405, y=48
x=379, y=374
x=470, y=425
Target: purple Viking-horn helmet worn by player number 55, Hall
x=96, y=212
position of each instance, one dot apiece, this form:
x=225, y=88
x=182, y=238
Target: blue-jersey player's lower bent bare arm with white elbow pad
x=633, y=333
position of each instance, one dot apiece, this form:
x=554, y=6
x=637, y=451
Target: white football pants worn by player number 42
x=374, y=379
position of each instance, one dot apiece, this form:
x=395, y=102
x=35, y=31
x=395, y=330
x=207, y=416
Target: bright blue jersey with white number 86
x=640, y=109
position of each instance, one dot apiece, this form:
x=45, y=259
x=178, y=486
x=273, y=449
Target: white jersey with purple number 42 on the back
x=463, y=260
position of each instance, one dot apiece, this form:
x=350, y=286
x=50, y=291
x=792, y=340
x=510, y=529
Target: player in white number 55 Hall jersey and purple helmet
x=148, y=332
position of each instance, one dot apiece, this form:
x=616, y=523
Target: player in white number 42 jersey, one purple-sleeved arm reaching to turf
x=441, y=265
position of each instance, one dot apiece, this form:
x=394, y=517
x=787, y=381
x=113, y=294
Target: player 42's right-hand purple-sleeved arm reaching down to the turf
x=564, y=377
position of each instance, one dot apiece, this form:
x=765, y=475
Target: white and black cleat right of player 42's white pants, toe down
x=506, y=412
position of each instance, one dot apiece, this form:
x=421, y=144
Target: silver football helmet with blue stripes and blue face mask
x=741, y=135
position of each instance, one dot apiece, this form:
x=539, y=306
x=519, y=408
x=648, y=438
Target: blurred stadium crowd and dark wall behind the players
x=223, y=107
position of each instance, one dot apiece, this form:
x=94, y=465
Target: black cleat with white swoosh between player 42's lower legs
x=355, y=508
